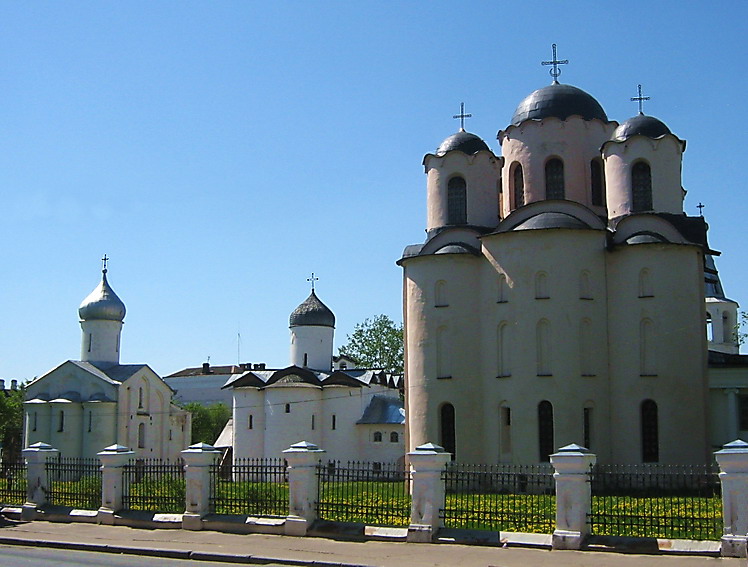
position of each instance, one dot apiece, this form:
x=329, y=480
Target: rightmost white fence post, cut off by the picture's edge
x=733, y=464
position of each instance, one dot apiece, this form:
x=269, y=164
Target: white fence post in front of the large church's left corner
x=427, y=463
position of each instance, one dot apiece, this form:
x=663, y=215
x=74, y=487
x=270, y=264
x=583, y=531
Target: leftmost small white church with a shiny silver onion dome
x=82, y=406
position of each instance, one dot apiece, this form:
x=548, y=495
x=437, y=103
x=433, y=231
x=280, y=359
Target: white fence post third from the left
x=197, y=461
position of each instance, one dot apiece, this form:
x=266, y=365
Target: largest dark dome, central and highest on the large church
x=559, y=101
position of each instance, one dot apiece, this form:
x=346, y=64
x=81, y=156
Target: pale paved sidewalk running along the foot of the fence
x=259, y=548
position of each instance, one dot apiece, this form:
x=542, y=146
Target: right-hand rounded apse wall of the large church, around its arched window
x=673, y=370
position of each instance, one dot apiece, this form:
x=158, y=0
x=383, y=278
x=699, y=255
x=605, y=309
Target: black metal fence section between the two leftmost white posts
x=74, y=482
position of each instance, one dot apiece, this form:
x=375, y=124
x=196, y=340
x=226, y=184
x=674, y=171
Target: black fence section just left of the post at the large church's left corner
x=364, y=492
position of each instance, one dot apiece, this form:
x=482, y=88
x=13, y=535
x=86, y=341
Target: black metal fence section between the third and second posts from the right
x=516, y=498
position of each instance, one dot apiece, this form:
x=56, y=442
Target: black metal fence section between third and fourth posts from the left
x=249, y=487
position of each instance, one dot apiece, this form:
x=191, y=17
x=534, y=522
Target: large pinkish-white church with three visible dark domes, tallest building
x=560, y=296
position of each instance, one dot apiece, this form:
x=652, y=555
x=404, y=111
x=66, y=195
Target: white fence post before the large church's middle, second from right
x=573, y=495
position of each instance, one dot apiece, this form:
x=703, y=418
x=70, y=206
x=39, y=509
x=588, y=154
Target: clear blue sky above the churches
x=220, y=152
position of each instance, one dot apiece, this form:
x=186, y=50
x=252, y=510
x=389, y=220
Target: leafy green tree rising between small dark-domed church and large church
x=376, y=343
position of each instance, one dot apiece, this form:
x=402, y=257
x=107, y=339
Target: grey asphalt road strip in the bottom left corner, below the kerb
x=11, y=556
